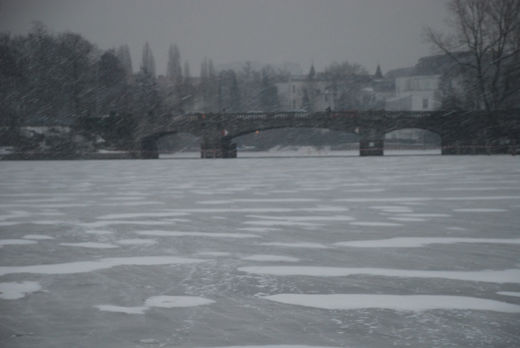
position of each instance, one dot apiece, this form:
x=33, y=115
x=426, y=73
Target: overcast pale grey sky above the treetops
x=368, y=32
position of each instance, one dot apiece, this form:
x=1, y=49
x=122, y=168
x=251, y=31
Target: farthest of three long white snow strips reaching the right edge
x=417, y=242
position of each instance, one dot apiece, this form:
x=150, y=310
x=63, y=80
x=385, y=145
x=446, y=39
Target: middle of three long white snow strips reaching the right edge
x=491, y=276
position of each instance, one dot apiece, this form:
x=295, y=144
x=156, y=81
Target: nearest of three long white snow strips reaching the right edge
x=394, y=302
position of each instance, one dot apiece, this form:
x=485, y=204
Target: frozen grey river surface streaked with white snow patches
x=262, y=252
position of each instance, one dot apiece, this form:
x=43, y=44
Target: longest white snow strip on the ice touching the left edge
x=90, y=266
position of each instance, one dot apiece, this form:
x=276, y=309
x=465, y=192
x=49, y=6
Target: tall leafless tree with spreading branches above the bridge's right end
x=485, y=44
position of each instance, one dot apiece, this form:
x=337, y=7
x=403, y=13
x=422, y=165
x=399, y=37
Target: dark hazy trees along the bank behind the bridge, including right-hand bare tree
x=63, y=79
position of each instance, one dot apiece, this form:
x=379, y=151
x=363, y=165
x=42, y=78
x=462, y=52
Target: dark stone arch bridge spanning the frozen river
x=461, y=132
